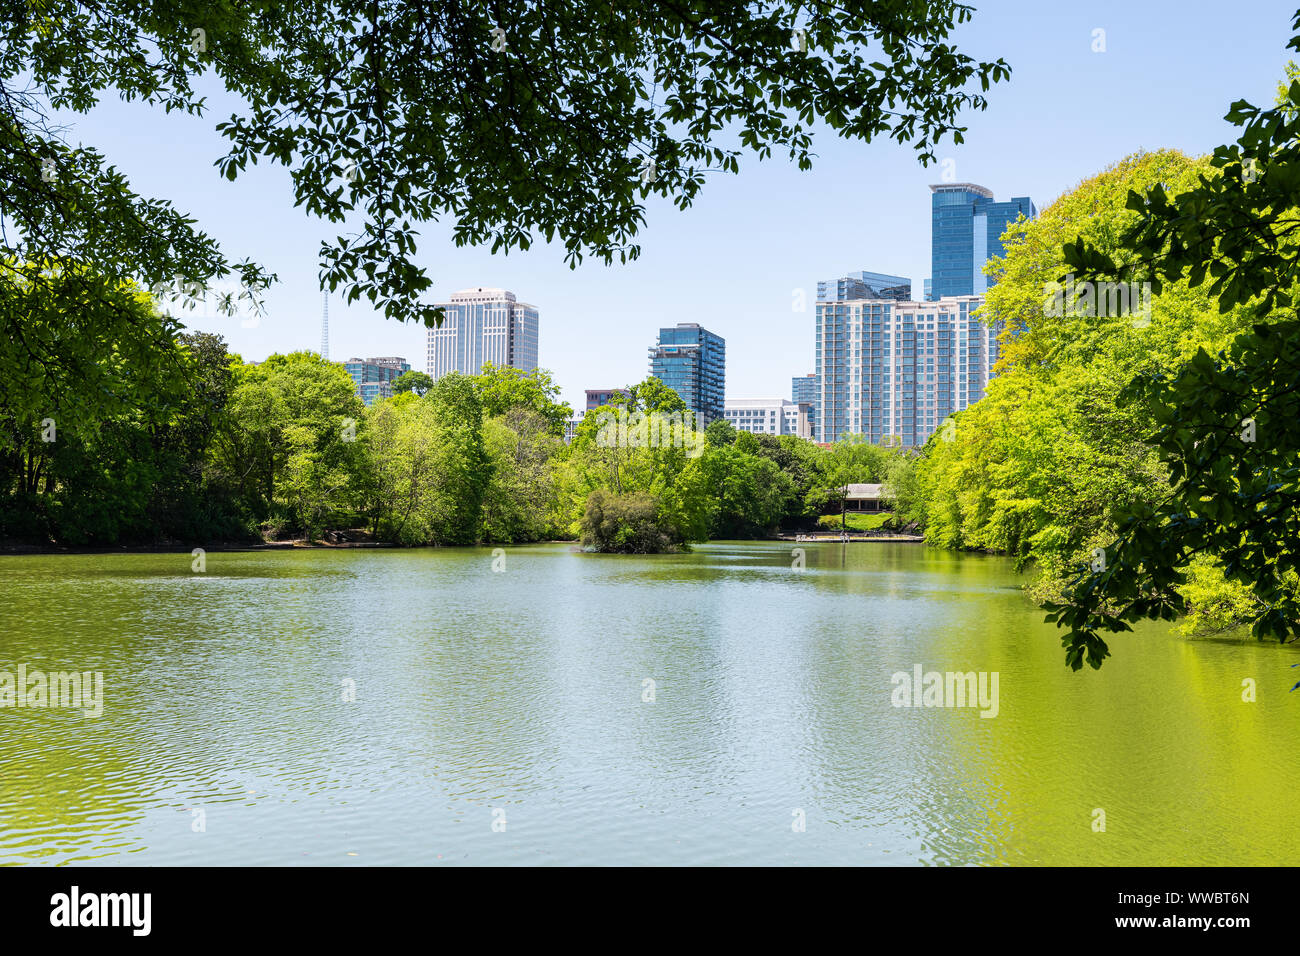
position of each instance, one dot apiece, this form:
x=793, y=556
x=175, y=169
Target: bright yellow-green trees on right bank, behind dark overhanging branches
x=1063, y=447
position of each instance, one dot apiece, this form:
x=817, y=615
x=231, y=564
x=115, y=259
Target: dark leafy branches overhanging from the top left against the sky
x=512, y=120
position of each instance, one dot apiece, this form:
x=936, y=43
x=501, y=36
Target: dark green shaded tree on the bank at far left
x=107, y=414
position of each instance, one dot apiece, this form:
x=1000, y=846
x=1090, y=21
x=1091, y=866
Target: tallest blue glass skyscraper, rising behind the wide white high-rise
x=967, y=230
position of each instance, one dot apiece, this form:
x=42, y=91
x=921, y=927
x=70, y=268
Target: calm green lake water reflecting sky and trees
x=519, y=695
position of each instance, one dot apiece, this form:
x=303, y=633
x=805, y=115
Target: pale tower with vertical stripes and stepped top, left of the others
x=484, y=326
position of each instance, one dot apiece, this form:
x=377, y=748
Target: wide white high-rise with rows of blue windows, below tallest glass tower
x=894, y=371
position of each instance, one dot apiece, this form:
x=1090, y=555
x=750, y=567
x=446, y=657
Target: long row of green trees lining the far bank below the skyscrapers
x=190, y=445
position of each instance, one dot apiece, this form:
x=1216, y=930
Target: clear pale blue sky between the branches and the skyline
x=733, y=262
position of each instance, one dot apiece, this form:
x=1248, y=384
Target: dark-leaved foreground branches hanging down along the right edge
x=1228, y=425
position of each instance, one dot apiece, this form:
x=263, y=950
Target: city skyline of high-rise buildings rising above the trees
x=887, y=367
